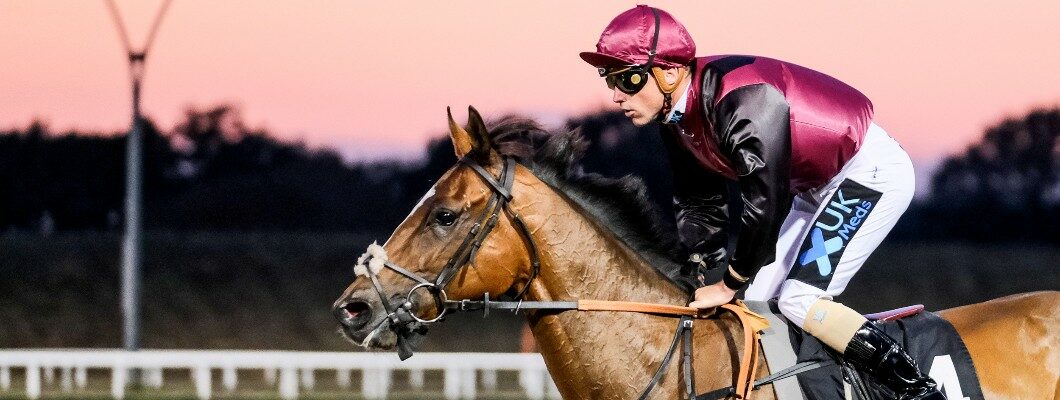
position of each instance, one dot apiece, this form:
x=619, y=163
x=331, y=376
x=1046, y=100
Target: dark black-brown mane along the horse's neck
x=621, y=205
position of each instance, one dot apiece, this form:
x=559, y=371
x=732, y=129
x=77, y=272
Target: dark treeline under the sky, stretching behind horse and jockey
x=210, y=172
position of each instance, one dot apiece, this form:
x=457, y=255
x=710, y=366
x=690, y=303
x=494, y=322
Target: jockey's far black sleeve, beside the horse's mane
x=701, y=205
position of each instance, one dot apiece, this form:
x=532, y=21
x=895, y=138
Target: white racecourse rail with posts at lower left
x=296, y=370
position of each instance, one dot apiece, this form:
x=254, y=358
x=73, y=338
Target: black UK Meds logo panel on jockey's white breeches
x=843, y=216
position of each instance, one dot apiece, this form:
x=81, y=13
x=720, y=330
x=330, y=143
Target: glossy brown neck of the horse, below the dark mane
x=599, y=355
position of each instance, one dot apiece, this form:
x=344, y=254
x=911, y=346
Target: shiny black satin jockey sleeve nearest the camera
x=754, y=132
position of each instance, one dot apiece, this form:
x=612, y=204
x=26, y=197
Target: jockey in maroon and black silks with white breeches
x=821, y=185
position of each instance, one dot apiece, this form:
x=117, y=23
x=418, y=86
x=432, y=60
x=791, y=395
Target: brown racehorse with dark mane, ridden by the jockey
x=566, y=235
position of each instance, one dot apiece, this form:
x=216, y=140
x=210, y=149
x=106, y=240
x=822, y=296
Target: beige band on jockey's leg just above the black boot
x=834, y=324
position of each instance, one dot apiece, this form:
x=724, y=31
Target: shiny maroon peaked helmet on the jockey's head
x=631, y=38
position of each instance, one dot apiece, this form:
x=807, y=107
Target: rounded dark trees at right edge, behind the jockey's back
x=1004, y=187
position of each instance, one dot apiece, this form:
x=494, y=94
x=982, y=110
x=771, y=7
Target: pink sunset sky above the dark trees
x=373, y=79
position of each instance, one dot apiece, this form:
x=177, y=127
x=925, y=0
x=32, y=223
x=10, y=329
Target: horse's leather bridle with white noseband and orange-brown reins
x=411, y=328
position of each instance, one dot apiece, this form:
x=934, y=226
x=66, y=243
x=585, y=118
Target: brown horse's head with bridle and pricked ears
x=462, y=241
